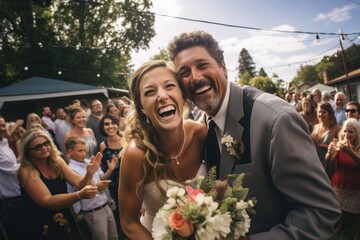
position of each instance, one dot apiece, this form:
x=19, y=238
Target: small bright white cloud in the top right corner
x=337, y=14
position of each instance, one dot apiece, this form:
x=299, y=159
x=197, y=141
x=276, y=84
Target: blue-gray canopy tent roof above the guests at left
x=39, y=88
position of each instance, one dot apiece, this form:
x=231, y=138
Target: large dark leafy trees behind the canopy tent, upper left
x=88, y=41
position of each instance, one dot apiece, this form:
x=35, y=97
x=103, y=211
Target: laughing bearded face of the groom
x=203, y=79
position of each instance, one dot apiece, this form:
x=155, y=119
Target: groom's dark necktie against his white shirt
x=212, y=147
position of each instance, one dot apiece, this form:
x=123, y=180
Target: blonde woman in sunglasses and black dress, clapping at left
x=42, y=176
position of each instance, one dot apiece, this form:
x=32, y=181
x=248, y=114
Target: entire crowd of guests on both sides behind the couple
x=81, y=143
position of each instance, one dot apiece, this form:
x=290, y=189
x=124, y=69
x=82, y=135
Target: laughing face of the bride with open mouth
x=161, y=98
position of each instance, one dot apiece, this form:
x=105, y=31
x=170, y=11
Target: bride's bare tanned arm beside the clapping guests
x=130, y=202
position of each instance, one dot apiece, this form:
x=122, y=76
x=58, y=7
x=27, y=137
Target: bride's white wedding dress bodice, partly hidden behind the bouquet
x=153, y=199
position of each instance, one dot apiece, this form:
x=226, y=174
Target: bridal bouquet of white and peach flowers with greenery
x=206, y=209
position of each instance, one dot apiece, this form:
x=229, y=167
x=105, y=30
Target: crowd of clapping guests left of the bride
x=58, y=168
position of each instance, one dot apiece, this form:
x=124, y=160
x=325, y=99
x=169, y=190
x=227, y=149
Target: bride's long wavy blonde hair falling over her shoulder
x=156, y=163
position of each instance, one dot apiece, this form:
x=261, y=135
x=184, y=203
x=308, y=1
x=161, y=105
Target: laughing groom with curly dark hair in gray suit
x=282, y=170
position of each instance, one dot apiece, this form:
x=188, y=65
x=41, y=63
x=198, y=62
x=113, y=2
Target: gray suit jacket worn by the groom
x=295, y=198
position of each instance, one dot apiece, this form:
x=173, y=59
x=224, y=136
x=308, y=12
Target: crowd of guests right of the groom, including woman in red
x=334, y=126
